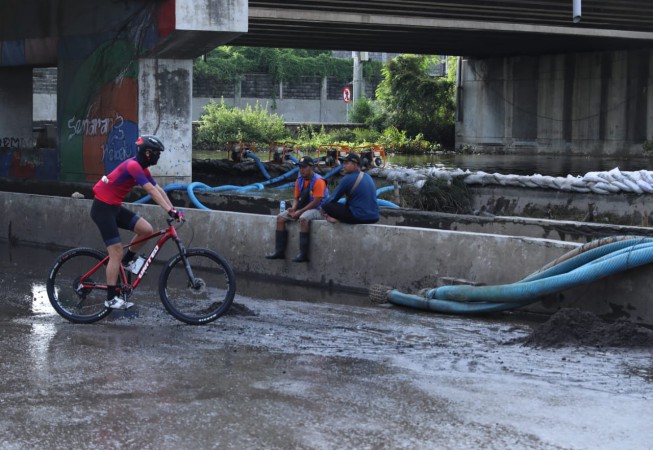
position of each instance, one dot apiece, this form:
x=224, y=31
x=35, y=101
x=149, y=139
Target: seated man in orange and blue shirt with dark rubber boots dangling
x=310, y=191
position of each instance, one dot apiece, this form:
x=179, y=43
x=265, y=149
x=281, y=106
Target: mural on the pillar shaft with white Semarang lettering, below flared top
x=100, y=112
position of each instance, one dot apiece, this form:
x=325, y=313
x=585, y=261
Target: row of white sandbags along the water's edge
x=611, y=182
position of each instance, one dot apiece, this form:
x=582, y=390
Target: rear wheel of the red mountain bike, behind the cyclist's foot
x=72, y=301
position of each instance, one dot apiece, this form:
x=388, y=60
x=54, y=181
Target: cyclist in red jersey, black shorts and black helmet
x=108, y=213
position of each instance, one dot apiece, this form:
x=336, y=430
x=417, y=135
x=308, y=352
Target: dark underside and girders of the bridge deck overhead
x=468, y=27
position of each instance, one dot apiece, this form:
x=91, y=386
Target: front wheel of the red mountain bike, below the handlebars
x=204, y=298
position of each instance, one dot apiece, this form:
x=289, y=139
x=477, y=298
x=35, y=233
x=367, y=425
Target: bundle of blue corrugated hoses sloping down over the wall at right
x=590, y=262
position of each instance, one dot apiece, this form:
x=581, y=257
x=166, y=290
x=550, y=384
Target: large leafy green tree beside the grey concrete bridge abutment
x=416, y=102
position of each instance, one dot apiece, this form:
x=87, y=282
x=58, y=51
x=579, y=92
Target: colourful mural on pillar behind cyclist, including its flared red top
x=98, y=93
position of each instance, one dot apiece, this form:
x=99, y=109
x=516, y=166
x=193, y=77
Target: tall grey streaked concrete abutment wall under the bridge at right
x=587, y=103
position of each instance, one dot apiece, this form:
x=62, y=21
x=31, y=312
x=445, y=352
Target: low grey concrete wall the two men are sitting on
x=345, y=256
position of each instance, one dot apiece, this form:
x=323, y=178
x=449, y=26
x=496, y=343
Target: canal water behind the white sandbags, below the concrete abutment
x=552, y=165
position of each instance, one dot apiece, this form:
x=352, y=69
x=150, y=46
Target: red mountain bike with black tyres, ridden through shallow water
x=196, y=285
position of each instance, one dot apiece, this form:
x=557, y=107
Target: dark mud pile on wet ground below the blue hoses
x=572, y=327
